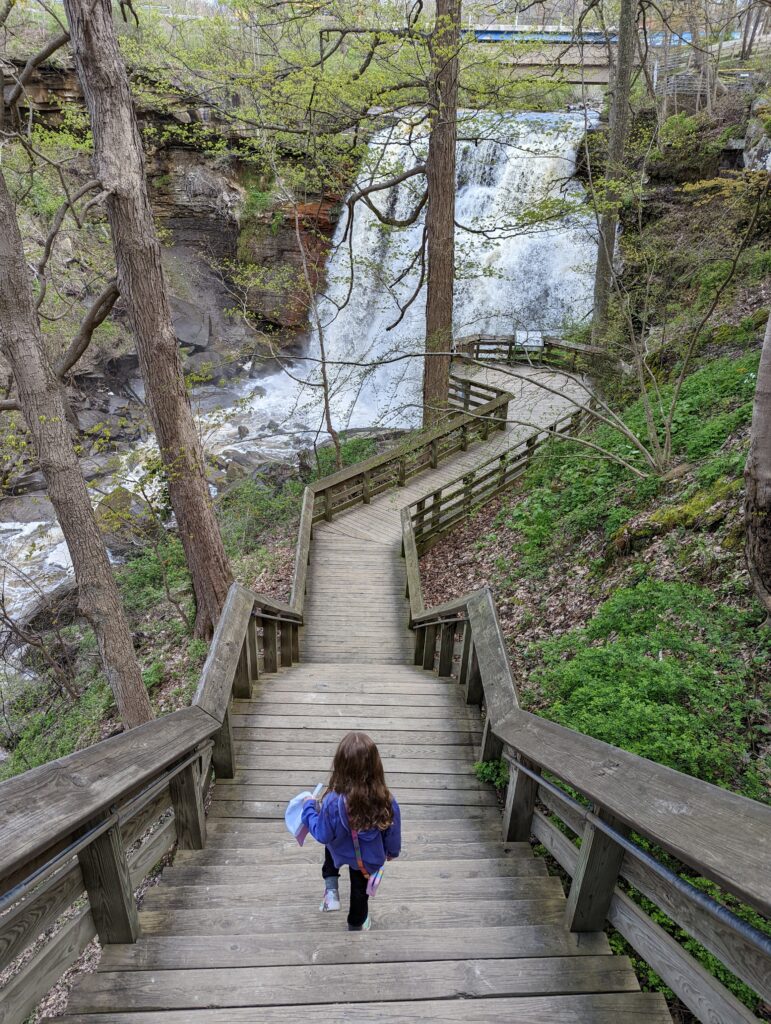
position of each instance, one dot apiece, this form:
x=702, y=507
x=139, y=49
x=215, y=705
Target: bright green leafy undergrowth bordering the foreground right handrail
x=661, y=671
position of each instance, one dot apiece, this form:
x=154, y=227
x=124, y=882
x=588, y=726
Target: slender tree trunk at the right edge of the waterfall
x=615, y=170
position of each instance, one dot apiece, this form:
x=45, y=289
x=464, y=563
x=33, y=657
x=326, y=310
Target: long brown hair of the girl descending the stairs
x=358, y=775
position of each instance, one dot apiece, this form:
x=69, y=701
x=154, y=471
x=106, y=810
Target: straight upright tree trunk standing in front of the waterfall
x=441, y=176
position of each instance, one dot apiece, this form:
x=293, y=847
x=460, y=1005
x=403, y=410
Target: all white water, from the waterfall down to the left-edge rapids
x=533, y=280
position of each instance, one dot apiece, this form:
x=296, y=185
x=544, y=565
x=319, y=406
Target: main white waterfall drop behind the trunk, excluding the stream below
x=513, y=275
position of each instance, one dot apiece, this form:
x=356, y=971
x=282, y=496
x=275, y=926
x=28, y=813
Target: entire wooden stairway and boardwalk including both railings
x=469, y=925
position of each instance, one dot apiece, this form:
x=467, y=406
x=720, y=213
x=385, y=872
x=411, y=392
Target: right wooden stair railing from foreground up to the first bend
x=714, y=836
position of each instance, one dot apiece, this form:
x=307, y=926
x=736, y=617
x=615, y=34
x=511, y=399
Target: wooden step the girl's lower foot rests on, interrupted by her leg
x=391, y=915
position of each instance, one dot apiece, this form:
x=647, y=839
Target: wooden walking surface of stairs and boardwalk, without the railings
x=465, y=928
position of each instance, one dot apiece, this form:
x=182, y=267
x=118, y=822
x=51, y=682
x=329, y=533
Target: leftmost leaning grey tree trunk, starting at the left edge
x=42, y=406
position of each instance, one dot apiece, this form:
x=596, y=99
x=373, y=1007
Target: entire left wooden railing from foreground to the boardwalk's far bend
x=78, y=835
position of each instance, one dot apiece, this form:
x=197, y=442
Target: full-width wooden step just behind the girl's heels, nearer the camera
x=169, y=953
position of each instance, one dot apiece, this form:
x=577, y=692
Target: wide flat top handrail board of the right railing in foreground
x=720, y=834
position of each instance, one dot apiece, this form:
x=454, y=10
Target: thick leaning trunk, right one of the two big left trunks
x=119, y=163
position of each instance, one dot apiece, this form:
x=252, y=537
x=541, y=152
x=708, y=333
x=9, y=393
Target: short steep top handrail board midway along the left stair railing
x=215, y=688
